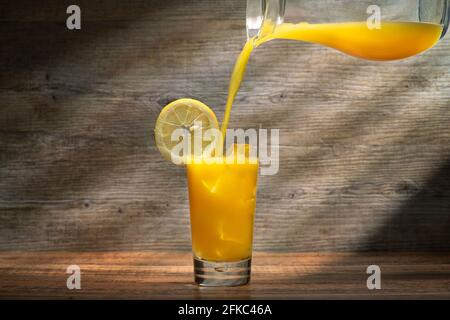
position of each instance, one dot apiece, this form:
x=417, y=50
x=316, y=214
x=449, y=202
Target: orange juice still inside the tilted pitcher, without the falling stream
x=393, y=41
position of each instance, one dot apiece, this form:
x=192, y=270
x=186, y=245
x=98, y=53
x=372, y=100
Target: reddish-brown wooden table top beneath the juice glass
x=168, y=275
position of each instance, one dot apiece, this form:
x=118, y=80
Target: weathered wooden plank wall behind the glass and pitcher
x=365, y=147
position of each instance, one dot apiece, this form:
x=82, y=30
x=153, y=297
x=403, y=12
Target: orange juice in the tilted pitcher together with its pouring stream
x=393, y=41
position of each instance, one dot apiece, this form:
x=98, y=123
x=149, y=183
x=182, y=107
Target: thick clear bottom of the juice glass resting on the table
x=221, y=274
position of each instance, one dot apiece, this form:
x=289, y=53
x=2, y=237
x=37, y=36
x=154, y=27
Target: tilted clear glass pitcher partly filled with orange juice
x=374, y=30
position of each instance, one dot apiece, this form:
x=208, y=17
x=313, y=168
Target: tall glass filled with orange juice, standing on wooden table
x=222, y=198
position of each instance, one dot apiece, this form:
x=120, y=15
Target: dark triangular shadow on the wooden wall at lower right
x=422, y=223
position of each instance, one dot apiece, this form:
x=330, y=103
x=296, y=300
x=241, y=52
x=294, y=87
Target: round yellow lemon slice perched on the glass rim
x=184, y=114
